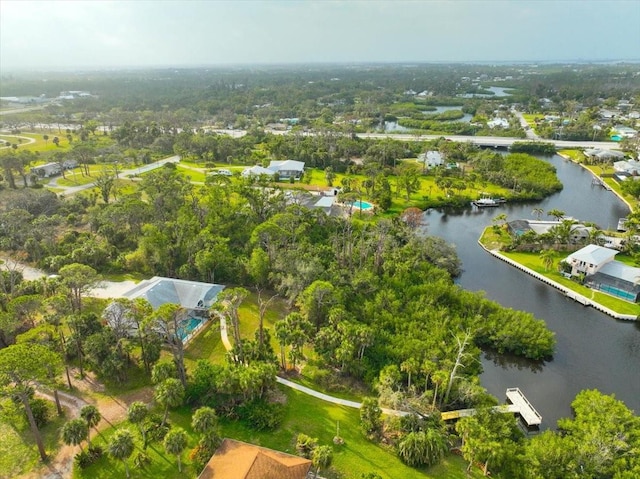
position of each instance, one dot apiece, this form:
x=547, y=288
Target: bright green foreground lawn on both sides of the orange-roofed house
x=355, y=457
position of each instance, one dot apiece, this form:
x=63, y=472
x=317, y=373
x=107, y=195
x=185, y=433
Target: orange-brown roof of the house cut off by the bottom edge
x=239, y=460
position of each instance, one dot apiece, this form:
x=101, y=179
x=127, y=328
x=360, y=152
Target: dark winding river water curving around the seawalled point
x=593, y=350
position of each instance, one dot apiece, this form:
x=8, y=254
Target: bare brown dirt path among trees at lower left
x=86, y=391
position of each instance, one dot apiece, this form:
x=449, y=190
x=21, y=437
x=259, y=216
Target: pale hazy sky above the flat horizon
x=66, y=34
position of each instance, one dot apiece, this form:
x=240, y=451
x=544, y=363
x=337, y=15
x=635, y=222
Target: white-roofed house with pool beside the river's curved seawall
x=604, y=274
